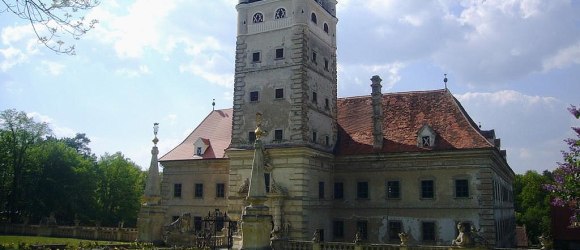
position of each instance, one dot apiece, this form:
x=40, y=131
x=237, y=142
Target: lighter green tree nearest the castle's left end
x=120, y=185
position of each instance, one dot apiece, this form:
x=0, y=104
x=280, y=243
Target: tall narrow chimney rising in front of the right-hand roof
x=377, y=97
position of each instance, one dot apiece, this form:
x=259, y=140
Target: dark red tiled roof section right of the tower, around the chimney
x=404, y=115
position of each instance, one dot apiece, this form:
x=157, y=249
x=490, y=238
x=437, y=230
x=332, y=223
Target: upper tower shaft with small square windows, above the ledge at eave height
x=286, y=69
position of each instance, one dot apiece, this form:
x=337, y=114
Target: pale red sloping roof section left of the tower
x=215, y=130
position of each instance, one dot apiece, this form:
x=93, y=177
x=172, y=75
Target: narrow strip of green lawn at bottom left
x=12, y=242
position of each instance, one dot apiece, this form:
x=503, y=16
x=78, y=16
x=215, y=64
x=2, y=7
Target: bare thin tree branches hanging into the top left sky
x=54, y=21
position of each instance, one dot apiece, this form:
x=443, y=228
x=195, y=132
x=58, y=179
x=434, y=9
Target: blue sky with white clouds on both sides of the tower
x=513, y=64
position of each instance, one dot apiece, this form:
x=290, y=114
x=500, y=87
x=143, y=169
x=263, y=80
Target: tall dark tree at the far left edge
x=18, y=133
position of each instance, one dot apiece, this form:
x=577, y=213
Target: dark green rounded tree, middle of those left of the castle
x=64, y=183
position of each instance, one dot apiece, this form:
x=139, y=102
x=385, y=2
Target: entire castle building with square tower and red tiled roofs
x=379, y=165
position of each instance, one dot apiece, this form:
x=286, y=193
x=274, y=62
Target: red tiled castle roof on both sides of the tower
x=404, y=115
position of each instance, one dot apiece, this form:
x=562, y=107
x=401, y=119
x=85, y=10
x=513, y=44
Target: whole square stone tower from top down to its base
x=286, y=70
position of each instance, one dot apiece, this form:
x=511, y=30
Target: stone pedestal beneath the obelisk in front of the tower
x=256, y=228
